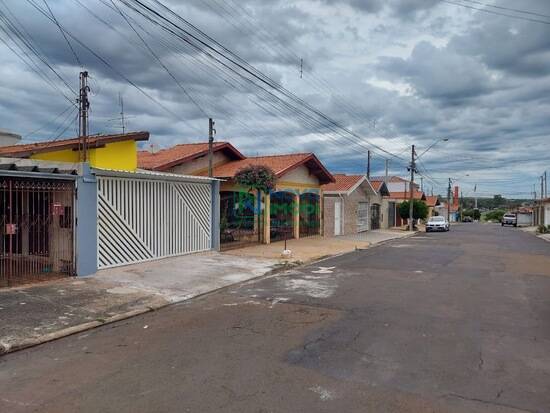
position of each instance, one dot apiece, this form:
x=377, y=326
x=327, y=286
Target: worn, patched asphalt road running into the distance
x=449, y=322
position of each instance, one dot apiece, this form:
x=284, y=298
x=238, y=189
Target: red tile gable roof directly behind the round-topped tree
x=280, y=164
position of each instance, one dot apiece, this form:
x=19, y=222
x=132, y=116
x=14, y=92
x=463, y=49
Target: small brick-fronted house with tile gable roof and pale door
x=353, y=204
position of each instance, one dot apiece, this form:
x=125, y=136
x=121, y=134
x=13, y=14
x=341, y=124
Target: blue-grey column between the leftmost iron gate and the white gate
x=86, y=223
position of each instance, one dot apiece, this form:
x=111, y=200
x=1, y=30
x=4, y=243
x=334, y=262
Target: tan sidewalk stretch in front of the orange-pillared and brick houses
x=318, y=247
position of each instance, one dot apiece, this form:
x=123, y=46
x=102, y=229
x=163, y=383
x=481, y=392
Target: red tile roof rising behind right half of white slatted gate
x=176, y=155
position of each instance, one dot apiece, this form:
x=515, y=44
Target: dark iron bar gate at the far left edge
x=36, y=225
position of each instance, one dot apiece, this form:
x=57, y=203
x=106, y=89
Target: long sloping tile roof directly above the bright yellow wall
x=94, y=141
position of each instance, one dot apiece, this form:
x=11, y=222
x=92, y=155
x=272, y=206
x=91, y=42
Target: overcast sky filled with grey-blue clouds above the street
x=392, y=72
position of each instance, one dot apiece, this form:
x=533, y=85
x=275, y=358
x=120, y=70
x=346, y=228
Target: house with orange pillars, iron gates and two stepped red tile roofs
x=293, y=209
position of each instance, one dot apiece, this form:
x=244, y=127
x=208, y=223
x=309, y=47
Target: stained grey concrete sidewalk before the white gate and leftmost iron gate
x=42, y=312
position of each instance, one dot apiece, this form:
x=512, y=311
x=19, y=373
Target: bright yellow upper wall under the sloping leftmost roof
x=120, y=156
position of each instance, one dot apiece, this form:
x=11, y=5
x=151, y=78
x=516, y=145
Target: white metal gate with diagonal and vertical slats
x=145, y=219
